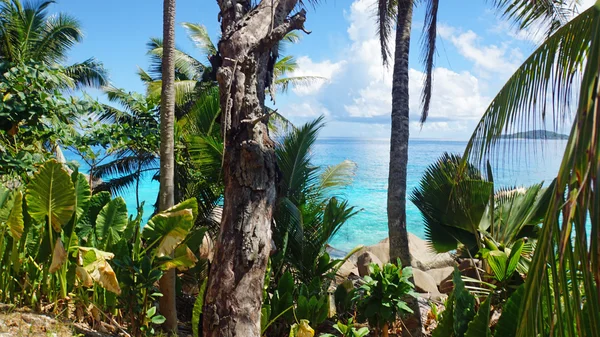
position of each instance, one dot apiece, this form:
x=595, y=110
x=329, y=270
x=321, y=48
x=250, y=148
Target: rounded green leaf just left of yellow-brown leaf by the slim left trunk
x=111, y=222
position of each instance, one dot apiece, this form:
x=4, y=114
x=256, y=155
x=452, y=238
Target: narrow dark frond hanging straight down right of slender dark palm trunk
x=428, y=54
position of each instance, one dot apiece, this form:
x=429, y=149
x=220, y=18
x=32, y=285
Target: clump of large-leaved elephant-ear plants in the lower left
x=62, y=241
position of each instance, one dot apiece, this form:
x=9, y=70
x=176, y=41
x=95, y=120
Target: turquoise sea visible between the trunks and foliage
x=525, y=162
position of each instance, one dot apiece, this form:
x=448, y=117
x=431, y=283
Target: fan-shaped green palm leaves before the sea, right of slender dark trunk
x=460, y=208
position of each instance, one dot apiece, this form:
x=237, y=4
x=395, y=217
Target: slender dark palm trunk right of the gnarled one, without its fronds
x=396, y=205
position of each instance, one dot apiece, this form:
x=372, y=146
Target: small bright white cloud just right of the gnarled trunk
x=307, y=67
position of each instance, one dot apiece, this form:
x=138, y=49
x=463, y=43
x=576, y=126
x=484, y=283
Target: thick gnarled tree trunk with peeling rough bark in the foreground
x=248, y=49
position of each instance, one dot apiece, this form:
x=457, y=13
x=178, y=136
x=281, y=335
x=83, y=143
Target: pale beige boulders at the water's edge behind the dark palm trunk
x=432, y=272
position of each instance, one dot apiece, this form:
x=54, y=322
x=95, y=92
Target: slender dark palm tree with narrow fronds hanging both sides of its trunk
x=400, y=12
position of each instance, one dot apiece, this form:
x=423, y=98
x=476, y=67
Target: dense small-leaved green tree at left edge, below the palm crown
x=34, y=115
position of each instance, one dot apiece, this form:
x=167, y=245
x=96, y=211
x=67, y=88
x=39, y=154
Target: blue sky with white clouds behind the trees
x=477, y=51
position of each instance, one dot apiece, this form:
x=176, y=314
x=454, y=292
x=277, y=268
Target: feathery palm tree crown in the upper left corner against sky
x=28, y=33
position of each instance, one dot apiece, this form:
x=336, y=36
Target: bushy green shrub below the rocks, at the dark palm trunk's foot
x=382, y=297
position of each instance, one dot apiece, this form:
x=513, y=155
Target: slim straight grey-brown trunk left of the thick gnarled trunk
x=167, y=156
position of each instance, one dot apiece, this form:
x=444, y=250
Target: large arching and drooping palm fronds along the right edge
x=560, y=79
